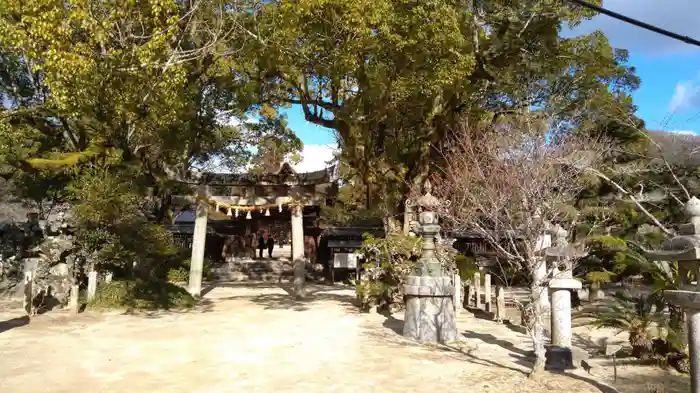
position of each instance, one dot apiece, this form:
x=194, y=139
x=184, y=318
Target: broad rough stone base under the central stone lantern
x=430, y=312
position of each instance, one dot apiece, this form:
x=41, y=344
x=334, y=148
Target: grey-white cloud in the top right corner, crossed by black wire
x=678, y=16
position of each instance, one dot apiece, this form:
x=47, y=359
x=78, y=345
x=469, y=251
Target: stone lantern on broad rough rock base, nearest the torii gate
x=429, y=291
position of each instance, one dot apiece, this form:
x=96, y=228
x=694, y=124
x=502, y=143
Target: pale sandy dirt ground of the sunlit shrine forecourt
x=254, y=338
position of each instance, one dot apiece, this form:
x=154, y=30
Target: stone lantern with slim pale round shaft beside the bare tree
x=561, y=256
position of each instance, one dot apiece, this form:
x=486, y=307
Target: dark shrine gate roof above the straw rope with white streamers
x=286, y=175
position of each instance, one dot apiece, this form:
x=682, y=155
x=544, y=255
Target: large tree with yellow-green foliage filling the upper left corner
x=148, y=82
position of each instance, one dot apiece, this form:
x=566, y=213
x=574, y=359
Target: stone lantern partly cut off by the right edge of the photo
x=685, y=249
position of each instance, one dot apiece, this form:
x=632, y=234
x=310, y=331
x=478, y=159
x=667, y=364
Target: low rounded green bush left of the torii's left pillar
x=141, y=295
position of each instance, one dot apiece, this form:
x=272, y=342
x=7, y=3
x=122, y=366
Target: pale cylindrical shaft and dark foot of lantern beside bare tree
x=559, y=355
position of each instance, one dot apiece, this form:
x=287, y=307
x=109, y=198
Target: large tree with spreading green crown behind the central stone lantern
x=392, y=77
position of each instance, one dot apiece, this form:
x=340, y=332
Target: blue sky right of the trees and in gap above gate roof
x=669, y=97
